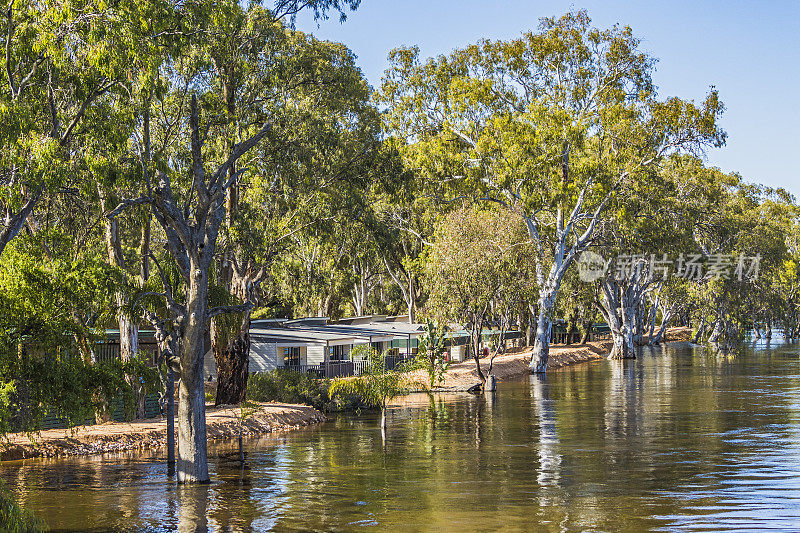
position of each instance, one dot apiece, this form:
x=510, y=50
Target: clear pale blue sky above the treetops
x=749, y=50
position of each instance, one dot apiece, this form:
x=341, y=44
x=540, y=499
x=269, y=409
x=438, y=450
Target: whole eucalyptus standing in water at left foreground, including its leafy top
x=186, y=188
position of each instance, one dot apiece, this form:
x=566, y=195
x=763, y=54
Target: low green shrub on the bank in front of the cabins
x=288, y=386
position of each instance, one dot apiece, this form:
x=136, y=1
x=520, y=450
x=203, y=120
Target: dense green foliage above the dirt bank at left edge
x=47, y=332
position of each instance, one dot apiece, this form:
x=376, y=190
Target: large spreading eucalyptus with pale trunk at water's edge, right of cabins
x=550, y=124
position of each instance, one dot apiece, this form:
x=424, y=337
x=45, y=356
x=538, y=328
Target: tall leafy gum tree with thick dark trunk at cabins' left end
x=325, y=139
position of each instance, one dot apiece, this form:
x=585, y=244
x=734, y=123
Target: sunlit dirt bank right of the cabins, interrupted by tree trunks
x=461, y=376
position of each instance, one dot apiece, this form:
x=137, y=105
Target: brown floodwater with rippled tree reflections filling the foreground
x=680, y=439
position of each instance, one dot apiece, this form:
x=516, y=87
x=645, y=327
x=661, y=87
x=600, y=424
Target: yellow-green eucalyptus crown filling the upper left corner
x=61, y=60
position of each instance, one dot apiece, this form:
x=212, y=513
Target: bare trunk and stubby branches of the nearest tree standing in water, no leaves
x=191, y=241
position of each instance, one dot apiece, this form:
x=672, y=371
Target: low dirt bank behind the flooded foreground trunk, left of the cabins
x=221, y=423
